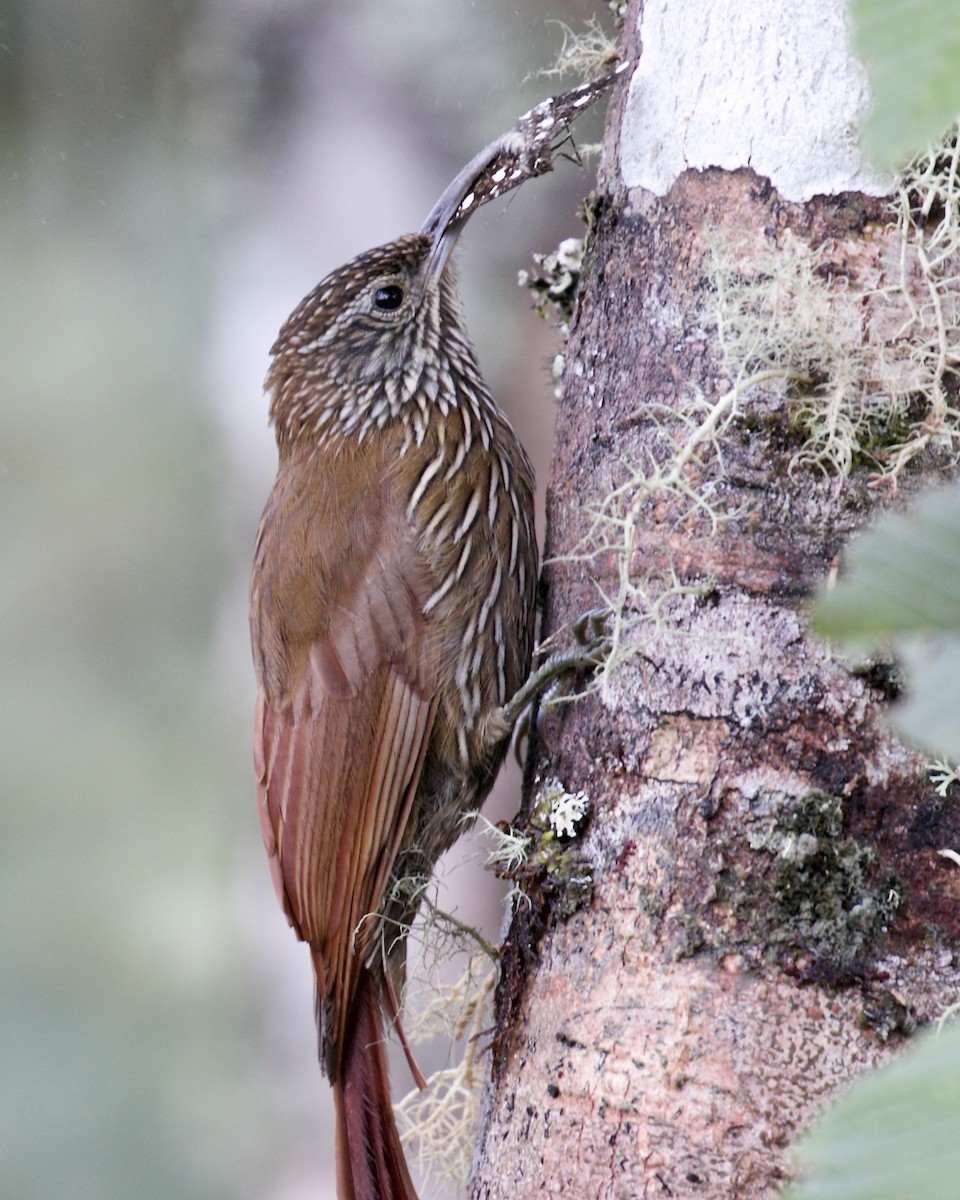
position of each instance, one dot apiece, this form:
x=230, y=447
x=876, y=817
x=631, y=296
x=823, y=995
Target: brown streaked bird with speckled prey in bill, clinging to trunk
x=393, y=621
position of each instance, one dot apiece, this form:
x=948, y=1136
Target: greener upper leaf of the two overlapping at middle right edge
x=903, y=577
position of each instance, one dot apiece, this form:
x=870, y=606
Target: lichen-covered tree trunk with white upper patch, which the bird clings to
x=753, y=911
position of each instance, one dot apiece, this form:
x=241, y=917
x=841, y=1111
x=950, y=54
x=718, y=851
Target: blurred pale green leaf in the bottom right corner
x=895, y=1136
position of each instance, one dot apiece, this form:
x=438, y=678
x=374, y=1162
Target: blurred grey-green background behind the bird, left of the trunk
x=173, y=178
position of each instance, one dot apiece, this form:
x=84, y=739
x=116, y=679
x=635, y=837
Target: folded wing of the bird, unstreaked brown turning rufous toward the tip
x=340, y=737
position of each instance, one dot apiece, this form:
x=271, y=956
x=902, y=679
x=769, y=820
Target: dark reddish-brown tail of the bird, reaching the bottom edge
x=370, y=1157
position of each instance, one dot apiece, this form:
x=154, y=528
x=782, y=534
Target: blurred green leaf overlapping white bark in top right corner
x=911, y=50
